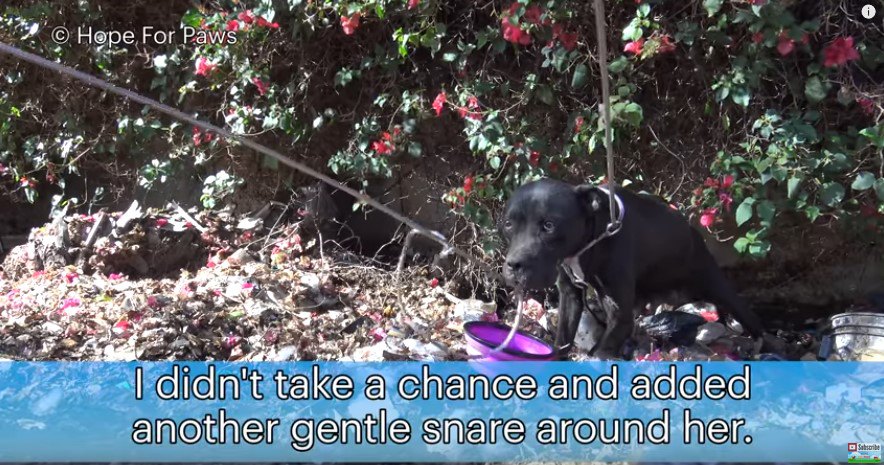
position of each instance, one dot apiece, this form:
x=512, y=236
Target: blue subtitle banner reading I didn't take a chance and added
x=439, y=412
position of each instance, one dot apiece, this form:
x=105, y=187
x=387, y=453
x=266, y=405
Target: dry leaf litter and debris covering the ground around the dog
x=168, y=284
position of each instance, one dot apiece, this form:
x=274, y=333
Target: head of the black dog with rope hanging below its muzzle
x=545, y=222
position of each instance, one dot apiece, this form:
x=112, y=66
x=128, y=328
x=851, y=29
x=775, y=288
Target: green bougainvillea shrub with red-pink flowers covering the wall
x=734, y=111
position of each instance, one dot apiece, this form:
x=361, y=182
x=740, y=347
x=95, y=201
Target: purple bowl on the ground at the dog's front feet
x=484, y=336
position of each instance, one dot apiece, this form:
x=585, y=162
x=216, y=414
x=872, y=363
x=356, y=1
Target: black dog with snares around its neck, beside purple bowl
x=655, y=251
